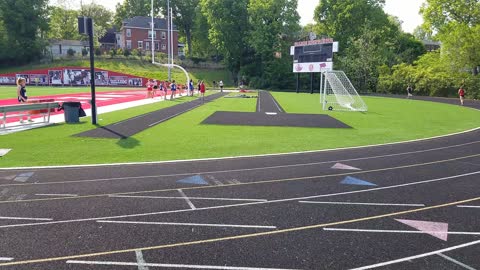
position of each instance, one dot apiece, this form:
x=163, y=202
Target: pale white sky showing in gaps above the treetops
x=406, y=10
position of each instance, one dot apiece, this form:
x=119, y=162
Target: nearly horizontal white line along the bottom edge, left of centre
x=188, y=266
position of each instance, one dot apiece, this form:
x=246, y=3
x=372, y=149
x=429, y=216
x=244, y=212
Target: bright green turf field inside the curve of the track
x=388, y=120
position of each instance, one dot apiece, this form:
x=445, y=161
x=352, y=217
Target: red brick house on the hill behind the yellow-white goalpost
x=136, y=33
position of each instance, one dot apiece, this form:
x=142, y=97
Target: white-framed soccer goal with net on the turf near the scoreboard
x=338, y=93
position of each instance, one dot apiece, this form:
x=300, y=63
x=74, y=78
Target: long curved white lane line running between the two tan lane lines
x=238, y=205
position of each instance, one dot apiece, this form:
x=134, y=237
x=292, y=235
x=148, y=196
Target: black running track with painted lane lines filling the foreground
x=441, y=174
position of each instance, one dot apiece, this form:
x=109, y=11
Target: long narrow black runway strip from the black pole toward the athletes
x=132, y=126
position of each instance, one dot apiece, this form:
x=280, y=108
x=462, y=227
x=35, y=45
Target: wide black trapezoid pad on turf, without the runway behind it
x=279, y=120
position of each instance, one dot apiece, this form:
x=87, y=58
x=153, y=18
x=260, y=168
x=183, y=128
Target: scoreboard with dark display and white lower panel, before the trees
x=313, y=56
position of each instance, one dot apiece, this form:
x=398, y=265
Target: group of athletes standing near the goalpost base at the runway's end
x=163, y=86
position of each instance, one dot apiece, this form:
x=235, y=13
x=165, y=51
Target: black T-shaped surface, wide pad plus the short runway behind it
x=270, y=113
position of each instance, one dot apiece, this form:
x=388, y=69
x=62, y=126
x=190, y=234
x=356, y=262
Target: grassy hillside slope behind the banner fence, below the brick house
x=137, y=68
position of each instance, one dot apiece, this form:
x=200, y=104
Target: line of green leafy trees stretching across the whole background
x=253, y=38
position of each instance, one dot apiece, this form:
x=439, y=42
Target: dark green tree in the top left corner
x=25, y=23
